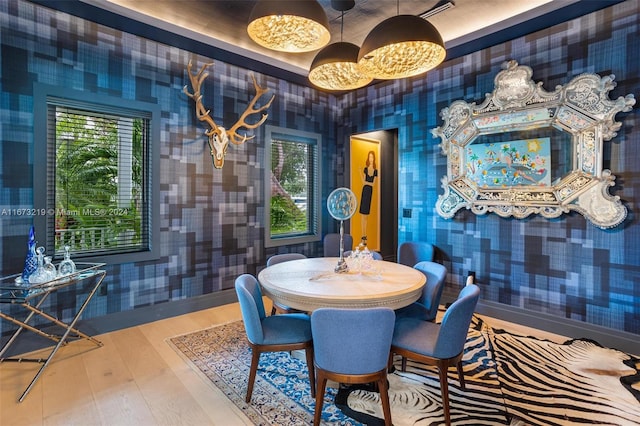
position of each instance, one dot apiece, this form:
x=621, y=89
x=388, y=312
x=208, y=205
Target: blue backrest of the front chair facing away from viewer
x=352, y=341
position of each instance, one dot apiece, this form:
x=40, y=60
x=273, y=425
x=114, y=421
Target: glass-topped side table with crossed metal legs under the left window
x=87, y=277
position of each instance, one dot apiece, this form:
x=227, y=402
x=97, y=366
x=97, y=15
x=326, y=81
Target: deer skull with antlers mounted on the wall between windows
x=219, y=137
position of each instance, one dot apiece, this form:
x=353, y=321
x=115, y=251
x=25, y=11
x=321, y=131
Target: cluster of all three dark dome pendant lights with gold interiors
x=398, y=47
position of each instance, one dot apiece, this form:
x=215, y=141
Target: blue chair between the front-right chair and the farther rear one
x=426, y=308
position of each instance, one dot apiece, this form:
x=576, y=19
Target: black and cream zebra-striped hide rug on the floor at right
x=514, y=380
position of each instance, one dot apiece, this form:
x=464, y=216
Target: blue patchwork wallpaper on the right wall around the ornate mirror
x=564, y=267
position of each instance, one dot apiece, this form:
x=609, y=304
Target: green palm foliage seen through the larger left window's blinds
x=92, y=210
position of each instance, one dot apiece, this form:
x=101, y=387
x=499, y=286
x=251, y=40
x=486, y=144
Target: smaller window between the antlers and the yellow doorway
x=292, y=186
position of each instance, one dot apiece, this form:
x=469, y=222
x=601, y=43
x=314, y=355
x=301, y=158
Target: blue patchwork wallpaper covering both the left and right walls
x=212, y=220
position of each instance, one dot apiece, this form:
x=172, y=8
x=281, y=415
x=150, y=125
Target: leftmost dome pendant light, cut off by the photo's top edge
x=289, y=26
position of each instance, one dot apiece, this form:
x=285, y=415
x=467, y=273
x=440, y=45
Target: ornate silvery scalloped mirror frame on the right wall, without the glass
x=581, y=108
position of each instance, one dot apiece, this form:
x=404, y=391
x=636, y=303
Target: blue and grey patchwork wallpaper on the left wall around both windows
x=211, y=226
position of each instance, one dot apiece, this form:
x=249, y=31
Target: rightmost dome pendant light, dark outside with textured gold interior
x=401, y=46
